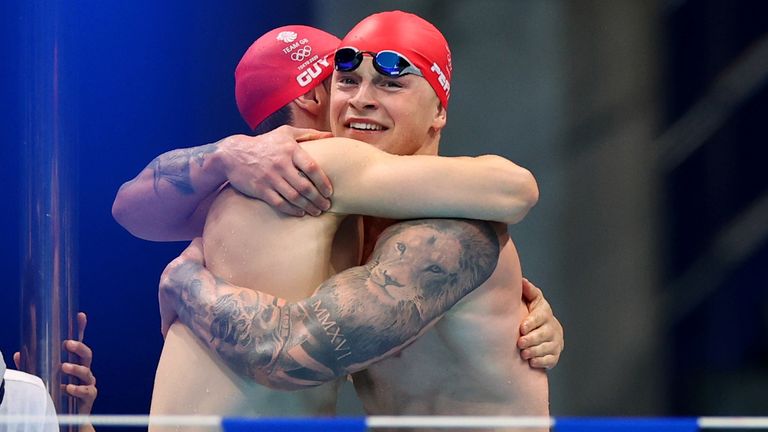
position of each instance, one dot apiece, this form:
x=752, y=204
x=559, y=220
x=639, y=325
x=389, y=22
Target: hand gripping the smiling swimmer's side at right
x=541, y=341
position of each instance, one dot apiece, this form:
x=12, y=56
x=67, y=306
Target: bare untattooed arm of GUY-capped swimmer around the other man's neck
x=371, y=182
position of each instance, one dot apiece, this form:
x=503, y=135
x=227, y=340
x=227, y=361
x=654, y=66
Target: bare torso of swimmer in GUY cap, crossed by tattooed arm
x=249, y=244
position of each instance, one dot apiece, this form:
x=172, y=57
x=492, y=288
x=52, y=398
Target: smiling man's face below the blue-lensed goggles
x=398, y=115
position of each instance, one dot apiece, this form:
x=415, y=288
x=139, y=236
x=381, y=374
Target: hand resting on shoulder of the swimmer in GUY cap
x=273, y=168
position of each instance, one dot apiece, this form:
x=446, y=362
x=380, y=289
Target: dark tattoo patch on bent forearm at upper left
x=173, y=167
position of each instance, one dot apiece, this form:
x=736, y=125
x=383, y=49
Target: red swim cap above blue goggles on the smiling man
x=412, y=36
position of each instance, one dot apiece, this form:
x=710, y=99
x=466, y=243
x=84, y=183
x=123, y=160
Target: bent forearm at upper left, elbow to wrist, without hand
x=168, y=200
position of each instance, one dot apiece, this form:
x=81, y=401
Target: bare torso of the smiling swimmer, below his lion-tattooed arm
x=468, y=364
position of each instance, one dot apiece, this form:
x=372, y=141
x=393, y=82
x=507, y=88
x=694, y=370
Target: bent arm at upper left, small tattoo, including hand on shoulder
x=170, y=198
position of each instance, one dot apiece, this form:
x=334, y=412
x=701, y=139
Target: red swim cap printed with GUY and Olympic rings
x=280, y=66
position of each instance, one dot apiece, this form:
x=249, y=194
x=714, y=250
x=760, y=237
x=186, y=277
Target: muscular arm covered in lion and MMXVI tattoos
x=418, y=270
